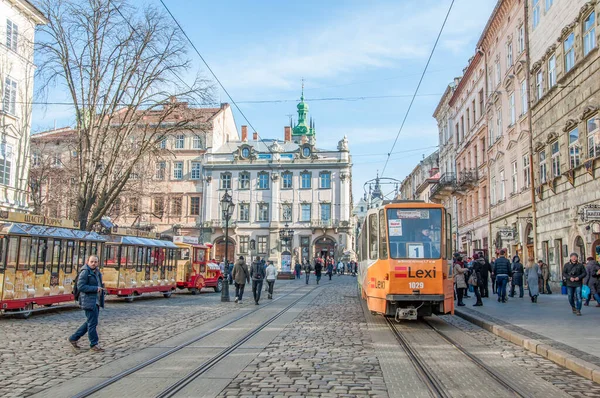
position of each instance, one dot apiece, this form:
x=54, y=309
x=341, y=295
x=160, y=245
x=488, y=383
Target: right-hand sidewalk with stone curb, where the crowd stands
x=548, y=328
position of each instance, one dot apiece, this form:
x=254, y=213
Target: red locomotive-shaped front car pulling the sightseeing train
x=194, y=271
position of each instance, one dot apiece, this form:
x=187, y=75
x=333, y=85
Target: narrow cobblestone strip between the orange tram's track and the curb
x=562, y=378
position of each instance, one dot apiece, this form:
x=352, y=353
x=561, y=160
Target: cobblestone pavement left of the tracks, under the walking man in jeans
x=35, y=354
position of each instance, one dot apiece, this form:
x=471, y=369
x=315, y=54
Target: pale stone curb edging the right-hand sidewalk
x=583, y=368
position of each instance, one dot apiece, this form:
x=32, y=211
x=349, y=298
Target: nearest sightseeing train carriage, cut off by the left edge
x=39, y=258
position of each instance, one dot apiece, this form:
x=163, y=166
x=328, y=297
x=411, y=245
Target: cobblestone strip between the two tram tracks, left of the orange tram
x=327, y=352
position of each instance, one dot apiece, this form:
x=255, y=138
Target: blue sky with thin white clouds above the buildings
x=261, y=50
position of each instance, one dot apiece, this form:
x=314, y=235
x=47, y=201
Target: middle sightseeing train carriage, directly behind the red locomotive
x=133, y=265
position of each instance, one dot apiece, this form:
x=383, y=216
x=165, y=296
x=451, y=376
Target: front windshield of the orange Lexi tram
x=414, y=233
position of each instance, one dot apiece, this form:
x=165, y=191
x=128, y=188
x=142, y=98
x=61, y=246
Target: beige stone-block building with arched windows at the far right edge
x=565, y=87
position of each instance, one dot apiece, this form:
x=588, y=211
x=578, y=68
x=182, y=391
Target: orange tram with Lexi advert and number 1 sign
x=405, y=260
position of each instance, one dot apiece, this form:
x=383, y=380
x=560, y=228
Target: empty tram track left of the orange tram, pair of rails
x=206, y=365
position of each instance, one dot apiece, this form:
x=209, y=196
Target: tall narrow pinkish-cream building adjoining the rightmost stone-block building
x=504, y=47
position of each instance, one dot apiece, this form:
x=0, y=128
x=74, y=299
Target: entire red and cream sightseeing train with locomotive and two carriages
x=40, y=258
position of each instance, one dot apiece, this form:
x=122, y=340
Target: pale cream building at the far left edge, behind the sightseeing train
x=18, y=20
